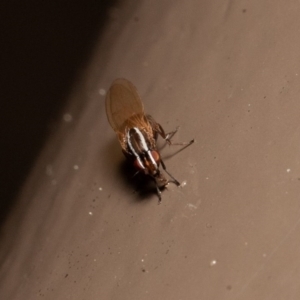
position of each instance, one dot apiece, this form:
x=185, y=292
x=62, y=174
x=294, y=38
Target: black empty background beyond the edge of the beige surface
x=43, y=46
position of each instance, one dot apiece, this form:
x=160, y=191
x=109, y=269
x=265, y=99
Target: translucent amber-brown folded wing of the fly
x=122, y=102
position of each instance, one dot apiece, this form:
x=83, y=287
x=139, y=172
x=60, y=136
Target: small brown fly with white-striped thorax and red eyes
x=138, y=132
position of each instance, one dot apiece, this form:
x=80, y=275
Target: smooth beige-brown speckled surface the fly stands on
x=227, y=73
